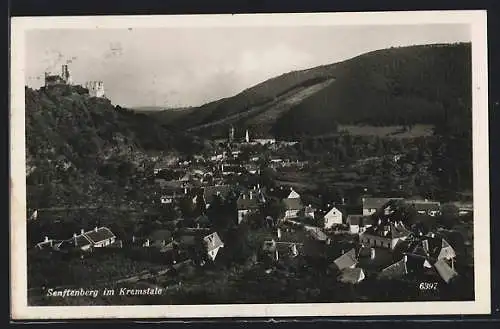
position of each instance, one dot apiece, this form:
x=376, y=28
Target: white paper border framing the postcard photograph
x=481, y=305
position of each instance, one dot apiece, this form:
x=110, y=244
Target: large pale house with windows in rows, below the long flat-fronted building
x=384, y=236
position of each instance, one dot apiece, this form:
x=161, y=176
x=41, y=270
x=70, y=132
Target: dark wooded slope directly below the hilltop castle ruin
x=75, y=143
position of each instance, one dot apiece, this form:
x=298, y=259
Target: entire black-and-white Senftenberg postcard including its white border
x=250, y=165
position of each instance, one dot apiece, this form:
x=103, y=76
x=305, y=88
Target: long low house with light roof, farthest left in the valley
x=99, y=237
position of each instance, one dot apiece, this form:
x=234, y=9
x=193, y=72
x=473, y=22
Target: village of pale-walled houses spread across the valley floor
x=203, y=200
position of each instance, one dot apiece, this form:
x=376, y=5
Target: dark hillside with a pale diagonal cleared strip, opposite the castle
x=428, y=84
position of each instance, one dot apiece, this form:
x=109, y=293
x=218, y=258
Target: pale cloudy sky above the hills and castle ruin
x=191, y=66
